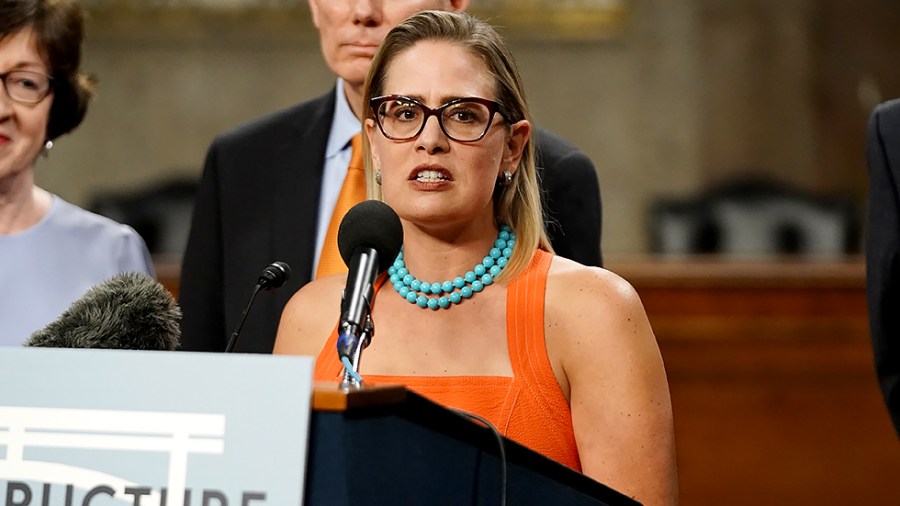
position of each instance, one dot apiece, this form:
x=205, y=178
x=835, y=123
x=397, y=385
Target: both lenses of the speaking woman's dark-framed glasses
x=461, y=121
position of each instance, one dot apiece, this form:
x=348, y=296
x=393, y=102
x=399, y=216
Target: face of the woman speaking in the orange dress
x=431, y=179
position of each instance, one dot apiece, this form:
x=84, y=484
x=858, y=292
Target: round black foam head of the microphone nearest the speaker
x=374, y=224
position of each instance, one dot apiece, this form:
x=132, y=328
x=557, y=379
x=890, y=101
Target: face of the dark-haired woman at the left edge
x=23, y=127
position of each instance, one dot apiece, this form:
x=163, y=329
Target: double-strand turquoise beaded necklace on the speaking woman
x=442, y=295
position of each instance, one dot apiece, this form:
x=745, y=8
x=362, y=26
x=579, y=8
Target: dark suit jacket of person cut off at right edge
x=883, y=249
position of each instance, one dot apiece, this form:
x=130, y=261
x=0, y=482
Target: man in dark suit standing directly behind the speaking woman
x=269, y=187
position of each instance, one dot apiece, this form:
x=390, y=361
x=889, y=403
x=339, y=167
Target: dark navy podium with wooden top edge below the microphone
x=388, y=445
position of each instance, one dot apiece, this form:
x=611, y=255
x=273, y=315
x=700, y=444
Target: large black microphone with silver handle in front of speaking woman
x=369, y=239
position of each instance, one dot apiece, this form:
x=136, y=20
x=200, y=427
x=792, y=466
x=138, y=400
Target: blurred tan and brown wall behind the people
x=678, y=97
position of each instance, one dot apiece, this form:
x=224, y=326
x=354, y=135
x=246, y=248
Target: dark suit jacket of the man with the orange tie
x=258, y=201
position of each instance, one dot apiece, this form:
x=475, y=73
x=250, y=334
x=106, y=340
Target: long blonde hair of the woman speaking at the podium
x=517, y=204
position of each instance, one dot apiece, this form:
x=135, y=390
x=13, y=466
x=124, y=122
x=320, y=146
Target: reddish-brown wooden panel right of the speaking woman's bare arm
x=772, y=381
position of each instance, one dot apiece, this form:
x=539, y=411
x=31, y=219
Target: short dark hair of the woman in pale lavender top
x=59, y=29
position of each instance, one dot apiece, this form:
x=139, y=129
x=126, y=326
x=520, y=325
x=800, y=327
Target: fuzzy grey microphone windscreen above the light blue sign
x=130, y=311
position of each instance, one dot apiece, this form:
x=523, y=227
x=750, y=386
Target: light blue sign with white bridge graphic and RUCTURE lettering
x=147, y=428
